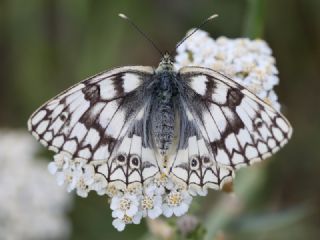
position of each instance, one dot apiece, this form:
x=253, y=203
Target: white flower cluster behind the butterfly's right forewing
x=249, y=62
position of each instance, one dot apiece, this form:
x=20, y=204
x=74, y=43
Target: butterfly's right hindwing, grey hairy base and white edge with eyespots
x=193, y=165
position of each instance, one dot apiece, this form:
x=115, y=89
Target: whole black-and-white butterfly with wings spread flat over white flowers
x=194, y=125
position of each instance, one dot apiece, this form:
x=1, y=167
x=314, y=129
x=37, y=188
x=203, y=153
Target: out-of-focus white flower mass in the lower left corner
x=32, y=206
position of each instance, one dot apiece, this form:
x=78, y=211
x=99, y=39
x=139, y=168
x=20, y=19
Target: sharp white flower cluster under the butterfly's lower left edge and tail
x=158, y=197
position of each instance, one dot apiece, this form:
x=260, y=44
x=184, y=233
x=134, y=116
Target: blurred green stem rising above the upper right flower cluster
x=255, y=19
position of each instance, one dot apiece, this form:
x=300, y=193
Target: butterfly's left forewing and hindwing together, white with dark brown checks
x=96, y=121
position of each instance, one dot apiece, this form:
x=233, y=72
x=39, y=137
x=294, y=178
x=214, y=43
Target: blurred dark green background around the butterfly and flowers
x=48, y=45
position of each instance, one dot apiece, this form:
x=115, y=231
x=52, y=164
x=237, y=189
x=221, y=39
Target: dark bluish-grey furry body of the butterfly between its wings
x=163, y=112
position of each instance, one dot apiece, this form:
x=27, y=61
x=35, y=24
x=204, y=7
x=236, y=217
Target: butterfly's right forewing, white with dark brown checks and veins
x=235, y=126
